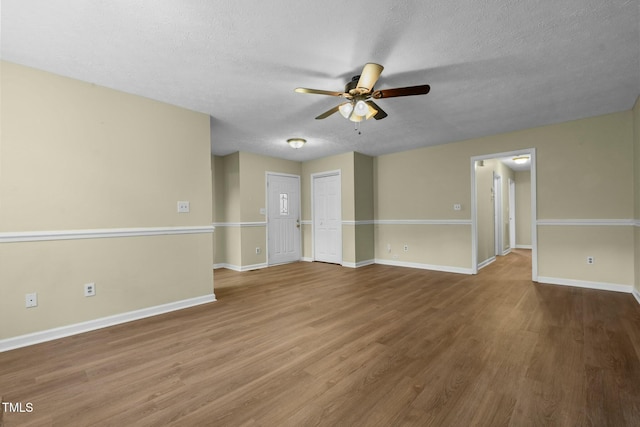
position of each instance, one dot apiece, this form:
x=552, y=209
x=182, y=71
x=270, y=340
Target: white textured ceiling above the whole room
x=493, y=65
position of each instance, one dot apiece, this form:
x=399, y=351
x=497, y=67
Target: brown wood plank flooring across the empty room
x=318, y=344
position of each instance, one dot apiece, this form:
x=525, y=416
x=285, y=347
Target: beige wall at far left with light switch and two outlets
x=76, y=156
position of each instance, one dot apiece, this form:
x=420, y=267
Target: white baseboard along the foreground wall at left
x=103, y=322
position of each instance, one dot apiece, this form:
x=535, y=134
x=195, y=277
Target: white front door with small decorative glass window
x=283, y=218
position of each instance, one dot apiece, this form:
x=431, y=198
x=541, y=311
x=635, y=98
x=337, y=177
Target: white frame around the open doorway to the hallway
x=531, y=152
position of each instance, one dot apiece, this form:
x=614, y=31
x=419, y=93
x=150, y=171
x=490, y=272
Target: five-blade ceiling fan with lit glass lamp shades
x=359, y=93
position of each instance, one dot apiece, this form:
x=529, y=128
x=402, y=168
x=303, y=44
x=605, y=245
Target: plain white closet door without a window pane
x=327, y=218
